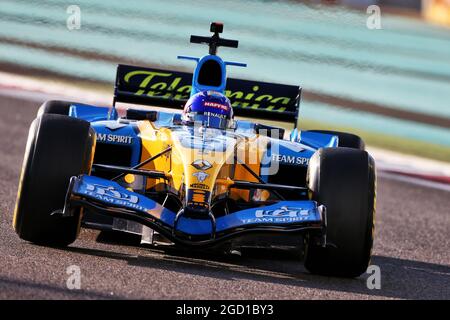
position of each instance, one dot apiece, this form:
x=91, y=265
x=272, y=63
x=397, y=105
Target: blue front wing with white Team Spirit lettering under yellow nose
x=109, y=198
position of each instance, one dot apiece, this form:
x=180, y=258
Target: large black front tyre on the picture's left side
x=58, y=148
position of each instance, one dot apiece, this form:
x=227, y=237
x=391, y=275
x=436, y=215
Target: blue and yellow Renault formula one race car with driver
x=184, y=180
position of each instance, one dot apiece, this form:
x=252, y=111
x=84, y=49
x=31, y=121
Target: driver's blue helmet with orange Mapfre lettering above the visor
x=210, y=109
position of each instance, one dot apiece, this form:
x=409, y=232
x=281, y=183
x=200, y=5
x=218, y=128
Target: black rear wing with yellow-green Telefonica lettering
x=156, y=87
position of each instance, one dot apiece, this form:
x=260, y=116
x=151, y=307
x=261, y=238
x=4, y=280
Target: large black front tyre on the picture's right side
x=343, y=180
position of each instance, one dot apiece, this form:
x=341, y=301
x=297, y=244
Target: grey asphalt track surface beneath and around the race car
x=412, y=249
